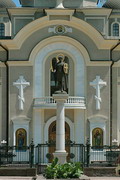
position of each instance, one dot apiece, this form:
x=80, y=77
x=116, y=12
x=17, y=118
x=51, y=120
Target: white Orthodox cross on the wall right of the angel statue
x=98, y=84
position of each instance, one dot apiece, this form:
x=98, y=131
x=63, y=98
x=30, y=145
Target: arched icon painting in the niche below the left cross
x=21, y=137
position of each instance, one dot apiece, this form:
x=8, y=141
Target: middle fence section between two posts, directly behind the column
x=76, y=153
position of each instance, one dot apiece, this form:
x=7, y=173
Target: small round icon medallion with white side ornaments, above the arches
x=59, y=29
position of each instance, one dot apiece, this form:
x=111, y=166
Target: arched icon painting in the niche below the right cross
x=97, y=137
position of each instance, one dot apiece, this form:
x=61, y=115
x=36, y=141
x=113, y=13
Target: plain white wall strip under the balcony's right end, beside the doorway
x=79, y=121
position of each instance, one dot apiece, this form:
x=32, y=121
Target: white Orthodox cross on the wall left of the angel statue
x=21, y=83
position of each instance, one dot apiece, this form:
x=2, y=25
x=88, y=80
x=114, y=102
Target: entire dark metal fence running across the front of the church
x=42, y=154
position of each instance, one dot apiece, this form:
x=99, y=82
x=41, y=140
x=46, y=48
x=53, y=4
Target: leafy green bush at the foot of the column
x=63, y=171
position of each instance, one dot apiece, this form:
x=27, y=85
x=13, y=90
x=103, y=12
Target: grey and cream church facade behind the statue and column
x=31, y=38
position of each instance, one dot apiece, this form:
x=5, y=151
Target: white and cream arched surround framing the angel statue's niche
x=66, y=45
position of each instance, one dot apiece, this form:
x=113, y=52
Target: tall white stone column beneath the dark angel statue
x=60, y=152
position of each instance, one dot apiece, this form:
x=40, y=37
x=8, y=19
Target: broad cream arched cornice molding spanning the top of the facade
x=40, y=23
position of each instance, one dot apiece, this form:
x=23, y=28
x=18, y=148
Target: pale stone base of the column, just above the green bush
x=61, y=157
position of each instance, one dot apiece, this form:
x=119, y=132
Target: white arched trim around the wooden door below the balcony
x=48, y=123
